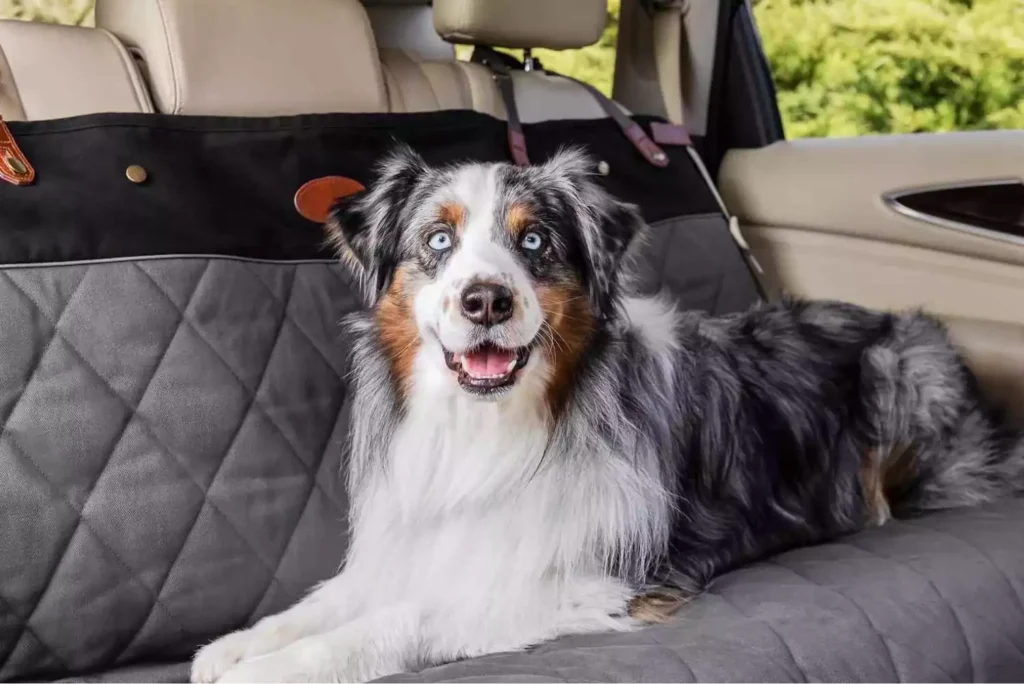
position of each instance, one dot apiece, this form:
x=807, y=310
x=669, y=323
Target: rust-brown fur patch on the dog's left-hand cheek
x=398, y=330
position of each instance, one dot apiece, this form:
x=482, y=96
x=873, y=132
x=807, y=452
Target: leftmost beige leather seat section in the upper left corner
x=51, y=72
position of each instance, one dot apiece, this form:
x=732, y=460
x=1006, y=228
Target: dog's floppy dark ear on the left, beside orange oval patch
x=366, y=229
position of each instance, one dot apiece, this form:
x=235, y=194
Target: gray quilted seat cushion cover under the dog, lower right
x=932, y=602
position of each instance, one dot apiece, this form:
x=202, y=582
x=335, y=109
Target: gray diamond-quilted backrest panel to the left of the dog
x=172, y=450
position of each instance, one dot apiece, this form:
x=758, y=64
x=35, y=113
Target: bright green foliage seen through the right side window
x=856, y=67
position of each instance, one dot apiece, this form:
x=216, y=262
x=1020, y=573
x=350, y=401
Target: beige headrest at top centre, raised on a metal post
x=553, y=24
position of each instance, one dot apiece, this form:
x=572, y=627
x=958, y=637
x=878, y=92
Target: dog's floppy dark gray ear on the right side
x=608, y=228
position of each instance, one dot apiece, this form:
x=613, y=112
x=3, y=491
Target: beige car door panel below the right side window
x=815, y=216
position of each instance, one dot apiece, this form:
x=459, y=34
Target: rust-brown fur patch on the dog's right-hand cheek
x=569, y=326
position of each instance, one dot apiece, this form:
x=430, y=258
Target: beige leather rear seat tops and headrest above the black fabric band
x=275, y=58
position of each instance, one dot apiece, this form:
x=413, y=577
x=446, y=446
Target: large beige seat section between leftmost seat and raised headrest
x=258, y=58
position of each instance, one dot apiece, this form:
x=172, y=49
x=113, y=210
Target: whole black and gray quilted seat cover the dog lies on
x=174, y=408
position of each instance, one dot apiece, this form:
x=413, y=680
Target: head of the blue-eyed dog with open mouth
x=483, y=275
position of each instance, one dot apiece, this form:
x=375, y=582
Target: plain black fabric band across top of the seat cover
x=226, y=186
